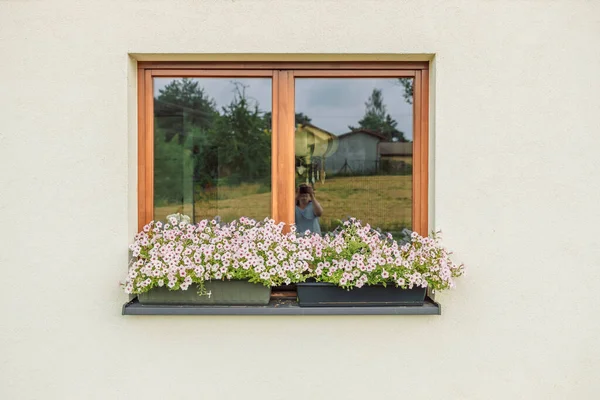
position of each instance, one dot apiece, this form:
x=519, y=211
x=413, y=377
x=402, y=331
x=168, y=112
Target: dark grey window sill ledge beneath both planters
x=279, y=307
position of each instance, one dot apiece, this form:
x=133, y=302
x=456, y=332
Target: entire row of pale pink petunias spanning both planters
x=178, y=254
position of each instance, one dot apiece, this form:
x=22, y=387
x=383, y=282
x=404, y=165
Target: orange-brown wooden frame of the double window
x=283, y=76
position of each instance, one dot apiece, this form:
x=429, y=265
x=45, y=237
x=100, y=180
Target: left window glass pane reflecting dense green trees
x=212, y=147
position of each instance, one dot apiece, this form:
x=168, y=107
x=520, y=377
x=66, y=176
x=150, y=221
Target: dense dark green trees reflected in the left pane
x=197, y=147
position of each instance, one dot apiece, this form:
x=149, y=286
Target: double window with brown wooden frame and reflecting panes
x=237, y=139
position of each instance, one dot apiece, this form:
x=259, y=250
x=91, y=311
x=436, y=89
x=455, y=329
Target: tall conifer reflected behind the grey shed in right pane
x=377, y=119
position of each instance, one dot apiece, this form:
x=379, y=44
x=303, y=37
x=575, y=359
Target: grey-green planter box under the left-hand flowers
x=221, y=293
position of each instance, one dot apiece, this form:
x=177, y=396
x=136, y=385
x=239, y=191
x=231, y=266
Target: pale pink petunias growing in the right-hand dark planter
x=356, y=255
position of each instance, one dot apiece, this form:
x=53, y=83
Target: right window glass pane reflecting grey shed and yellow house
x=354, y=147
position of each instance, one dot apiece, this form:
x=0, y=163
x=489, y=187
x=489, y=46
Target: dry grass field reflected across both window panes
x=382, y=201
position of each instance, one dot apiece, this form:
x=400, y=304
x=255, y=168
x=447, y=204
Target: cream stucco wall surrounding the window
x=515, y=190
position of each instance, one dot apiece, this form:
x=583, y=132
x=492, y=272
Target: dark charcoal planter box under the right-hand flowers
x=320, y=294
